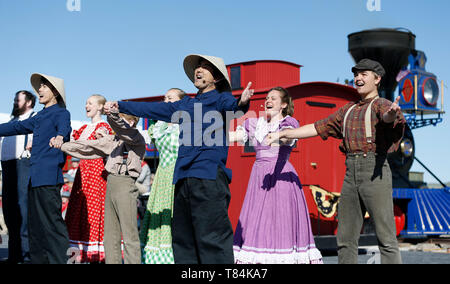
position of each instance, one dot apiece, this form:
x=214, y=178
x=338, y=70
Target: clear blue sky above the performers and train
x=134, y=48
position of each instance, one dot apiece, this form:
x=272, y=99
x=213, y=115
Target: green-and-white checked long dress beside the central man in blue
x=156, y=233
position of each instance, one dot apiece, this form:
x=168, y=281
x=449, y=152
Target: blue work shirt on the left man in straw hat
x=46, y=162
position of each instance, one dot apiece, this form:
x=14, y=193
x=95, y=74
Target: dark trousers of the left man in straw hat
x=49, y=240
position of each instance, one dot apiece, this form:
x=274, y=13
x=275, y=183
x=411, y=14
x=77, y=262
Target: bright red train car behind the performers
x=320, y=164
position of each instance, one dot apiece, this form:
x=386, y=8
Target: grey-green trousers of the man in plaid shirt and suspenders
x=367, y=187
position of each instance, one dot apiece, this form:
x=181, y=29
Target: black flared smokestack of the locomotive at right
x=390, y=47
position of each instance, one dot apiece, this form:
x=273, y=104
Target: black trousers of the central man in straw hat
x=201, y=228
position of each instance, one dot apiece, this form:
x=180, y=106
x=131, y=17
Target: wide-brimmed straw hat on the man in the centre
x=192, y=61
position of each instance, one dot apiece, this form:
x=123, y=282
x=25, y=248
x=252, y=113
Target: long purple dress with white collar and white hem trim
x=274, y=224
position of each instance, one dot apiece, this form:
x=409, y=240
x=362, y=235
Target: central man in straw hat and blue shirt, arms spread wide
x=201, y=227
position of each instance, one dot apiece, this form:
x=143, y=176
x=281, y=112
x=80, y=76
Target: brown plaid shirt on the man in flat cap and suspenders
x=386, y=136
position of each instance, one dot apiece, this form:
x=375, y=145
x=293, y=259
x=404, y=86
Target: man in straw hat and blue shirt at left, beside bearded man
x=51, y=126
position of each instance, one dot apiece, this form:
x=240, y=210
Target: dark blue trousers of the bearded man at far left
x=16, y=178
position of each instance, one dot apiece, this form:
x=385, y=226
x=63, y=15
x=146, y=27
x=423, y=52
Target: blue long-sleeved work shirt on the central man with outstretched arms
x=203, y=130
